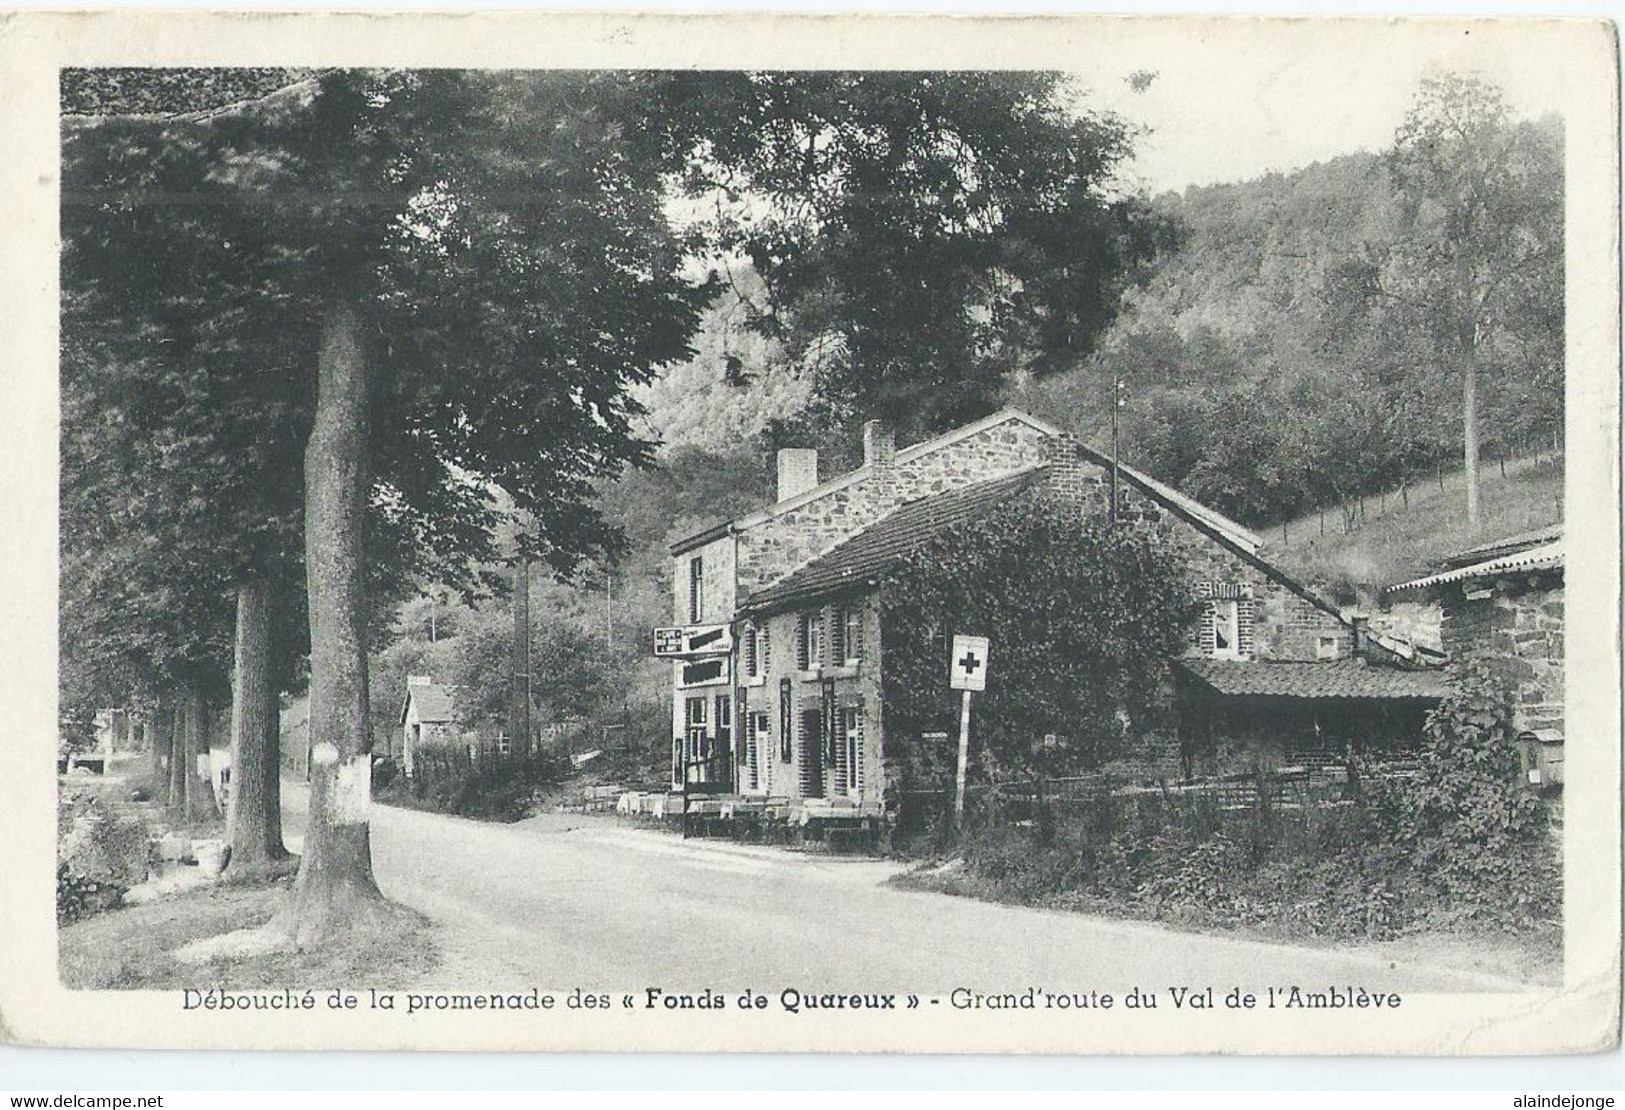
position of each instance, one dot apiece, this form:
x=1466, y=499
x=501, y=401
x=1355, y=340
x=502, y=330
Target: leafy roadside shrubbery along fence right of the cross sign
x=1460, y=843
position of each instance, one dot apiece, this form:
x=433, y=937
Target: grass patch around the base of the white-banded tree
x=136, y=948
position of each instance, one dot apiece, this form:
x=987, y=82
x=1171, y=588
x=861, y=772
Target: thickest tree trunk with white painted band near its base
x=336, y=890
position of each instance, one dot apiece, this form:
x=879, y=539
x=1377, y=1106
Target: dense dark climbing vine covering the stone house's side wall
x=1083, y=618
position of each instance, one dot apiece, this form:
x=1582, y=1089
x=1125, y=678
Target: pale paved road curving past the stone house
x=591, y=903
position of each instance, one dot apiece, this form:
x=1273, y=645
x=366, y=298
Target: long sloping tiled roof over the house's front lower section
x=867, y=555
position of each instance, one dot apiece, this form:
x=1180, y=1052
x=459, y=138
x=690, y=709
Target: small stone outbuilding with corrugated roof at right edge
x=1502, y=605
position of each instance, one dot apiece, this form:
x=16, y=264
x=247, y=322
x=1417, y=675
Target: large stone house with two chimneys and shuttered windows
x=795, y=709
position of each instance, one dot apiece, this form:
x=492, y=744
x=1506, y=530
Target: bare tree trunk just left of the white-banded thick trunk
x=254, y=822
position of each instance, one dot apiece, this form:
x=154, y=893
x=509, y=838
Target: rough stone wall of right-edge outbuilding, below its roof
x=1519, y=635
